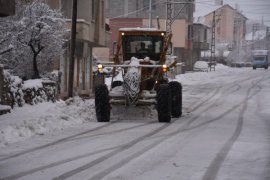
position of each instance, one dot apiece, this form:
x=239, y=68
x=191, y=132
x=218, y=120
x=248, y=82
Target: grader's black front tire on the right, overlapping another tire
x=164, y=103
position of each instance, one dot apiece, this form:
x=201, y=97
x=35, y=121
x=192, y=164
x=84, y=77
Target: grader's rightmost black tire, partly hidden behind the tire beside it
x=176, y=97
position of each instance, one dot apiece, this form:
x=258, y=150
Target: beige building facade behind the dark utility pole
x=91, y=33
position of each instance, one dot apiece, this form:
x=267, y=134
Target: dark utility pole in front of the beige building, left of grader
x=72, y=49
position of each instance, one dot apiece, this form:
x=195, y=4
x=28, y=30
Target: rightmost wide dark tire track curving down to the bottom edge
x=216, y=164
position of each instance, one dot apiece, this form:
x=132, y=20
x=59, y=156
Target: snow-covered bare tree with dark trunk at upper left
x=37, y=37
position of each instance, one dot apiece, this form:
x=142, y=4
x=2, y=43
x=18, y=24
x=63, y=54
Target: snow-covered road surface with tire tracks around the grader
x=224, y=133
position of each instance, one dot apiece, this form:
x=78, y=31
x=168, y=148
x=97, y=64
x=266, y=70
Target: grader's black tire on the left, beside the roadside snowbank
x=102, y=103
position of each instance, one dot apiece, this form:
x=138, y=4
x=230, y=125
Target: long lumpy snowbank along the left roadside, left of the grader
x=44, y=117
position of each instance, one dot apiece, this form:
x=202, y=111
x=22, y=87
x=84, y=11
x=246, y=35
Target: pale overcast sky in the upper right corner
x=253, y=9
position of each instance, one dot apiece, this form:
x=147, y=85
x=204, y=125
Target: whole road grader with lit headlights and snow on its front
x=140, y=61
